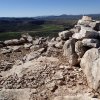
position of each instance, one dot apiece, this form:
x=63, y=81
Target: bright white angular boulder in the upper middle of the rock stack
x=86, y=32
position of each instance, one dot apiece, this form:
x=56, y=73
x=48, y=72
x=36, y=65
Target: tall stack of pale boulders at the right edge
x=79, y=50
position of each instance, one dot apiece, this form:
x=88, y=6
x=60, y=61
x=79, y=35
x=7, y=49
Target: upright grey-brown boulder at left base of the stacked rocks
x=69, y=52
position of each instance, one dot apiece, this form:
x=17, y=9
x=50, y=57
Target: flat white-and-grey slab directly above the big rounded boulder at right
x=94, y=43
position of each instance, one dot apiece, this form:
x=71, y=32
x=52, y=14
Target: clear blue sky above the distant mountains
x=31, y=8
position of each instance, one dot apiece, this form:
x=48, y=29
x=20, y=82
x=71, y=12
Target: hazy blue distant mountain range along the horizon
x=52, y=17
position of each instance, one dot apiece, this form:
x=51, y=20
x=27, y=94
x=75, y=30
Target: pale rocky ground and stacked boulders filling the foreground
x=64, y=68
